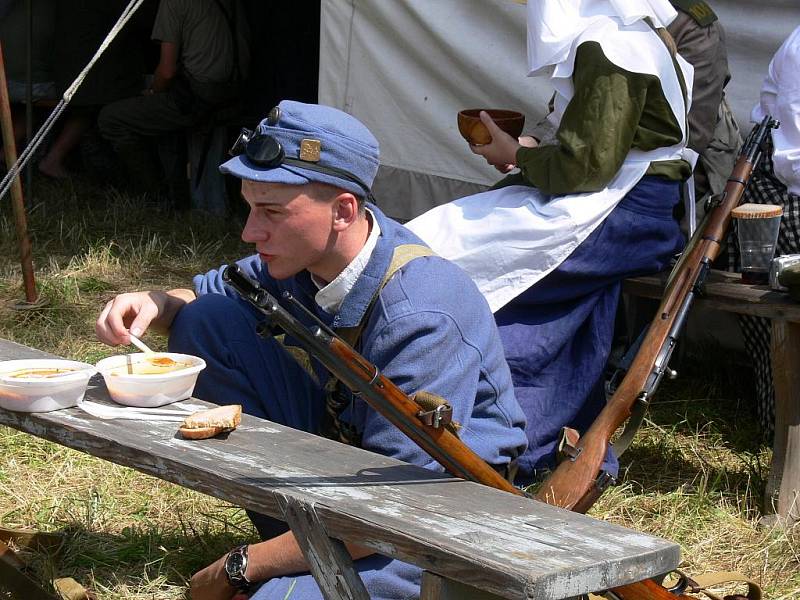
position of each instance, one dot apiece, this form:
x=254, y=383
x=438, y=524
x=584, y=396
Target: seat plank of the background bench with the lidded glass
x=724, y=291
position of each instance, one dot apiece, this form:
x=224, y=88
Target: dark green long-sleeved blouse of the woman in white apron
x=611, y=111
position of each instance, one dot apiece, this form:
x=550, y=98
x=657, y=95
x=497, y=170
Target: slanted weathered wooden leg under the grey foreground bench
x=328, y=559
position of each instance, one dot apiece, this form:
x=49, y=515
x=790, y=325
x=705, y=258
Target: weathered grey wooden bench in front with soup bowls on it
x=473, y=541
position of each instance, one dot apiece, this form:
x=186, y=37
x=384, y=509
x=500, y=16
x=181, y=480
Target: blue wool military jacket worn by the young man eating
x=430, y=329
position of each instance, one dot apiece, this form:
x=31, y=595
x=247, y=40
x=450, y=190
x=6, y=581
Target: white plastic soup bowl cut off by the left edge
x=36, y=394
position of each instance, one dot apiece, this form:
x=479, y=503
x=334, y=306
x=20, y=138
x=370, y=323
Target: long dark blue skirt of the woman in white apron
x=557, y=334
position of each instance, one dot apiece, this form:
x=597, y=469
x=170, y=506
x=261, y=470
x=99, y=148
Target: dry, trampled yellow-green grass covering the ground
x=695, y=473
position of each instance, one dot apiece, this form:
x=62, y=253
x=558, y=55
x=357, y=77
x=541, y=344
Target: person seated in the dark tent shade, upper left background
x=204, y=57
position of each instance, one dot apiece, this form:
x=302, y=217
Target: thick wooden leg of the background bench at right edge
x=783, y=486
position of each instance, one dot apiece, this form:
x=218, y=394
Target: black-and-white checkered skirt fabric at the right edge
x=765, y=188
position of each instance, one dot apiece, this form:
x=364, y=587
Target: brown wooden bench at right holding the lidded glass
x=725, y=291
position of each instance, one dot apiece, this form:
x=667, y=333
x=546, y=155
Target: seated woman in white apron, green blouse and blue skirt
x=549, y=245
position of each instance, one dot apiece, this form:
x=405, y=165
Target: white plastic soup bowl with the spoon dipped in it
x=152, y=389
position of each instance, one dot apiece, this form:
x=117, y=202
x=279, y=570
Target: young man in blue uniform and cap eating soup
x=427, y=327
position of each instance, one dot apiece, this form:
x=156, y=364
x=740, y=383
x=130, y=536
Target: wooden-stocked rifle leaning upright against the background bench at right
x=577, y=481
